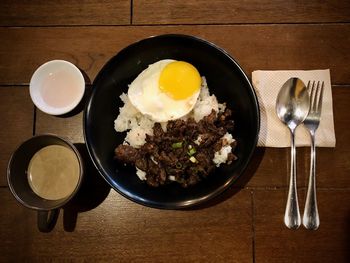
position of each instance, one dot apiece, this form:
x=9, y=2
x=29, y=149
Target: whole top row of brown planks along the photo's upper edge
x=124, y=12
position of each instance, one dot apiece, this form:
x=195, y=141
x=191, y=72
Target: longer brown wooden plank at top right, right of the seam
x=251, y=11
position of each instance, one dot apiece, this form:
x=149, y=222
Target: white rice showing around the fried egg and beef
x=138, y=125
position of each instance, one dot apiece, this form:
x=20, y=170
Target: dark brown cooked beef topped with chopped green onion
x=169, y=153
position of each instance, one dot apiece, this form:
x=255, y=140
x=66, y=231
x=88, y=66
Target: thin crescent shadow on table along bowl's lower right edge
x=239, y=184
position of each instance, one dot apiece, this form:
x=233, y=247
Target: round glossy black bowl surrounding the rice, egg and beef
x=225, y=79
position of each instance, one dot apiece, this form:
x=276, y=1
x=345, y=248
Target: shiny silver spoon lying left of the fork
x=292, y=107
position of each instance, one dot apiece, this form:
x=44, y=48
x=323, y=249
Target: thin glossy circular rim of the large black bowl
x=180, y=204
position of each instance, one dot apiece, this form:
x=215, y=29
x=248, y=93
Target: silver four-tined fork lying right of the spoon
x=311, y=219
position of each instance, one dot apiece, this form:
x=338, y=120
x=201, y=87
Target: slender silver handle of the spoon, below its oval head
x=292, y=215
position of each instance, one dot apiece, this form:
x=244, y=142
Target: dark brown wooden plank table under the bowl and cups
x=245, y=224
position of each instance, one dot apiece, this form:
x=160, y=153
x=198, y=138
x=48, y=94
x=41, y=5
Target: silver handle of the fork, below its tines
x=311, y=219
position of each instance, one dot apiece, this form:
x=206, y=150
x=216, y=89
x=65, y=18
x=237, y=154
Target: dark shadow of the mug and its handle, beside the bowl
x=91, y=194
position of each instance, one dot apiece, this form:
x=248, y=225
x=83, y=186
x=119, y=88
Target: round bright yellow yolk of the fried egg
x=179, y=80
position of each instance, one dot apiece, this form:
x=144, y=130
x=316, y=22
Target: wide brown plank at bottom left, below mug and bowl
x=126, y=231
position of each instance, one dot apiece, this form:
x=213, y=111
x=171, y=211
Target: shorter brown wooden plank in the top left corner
x=64, y=12
